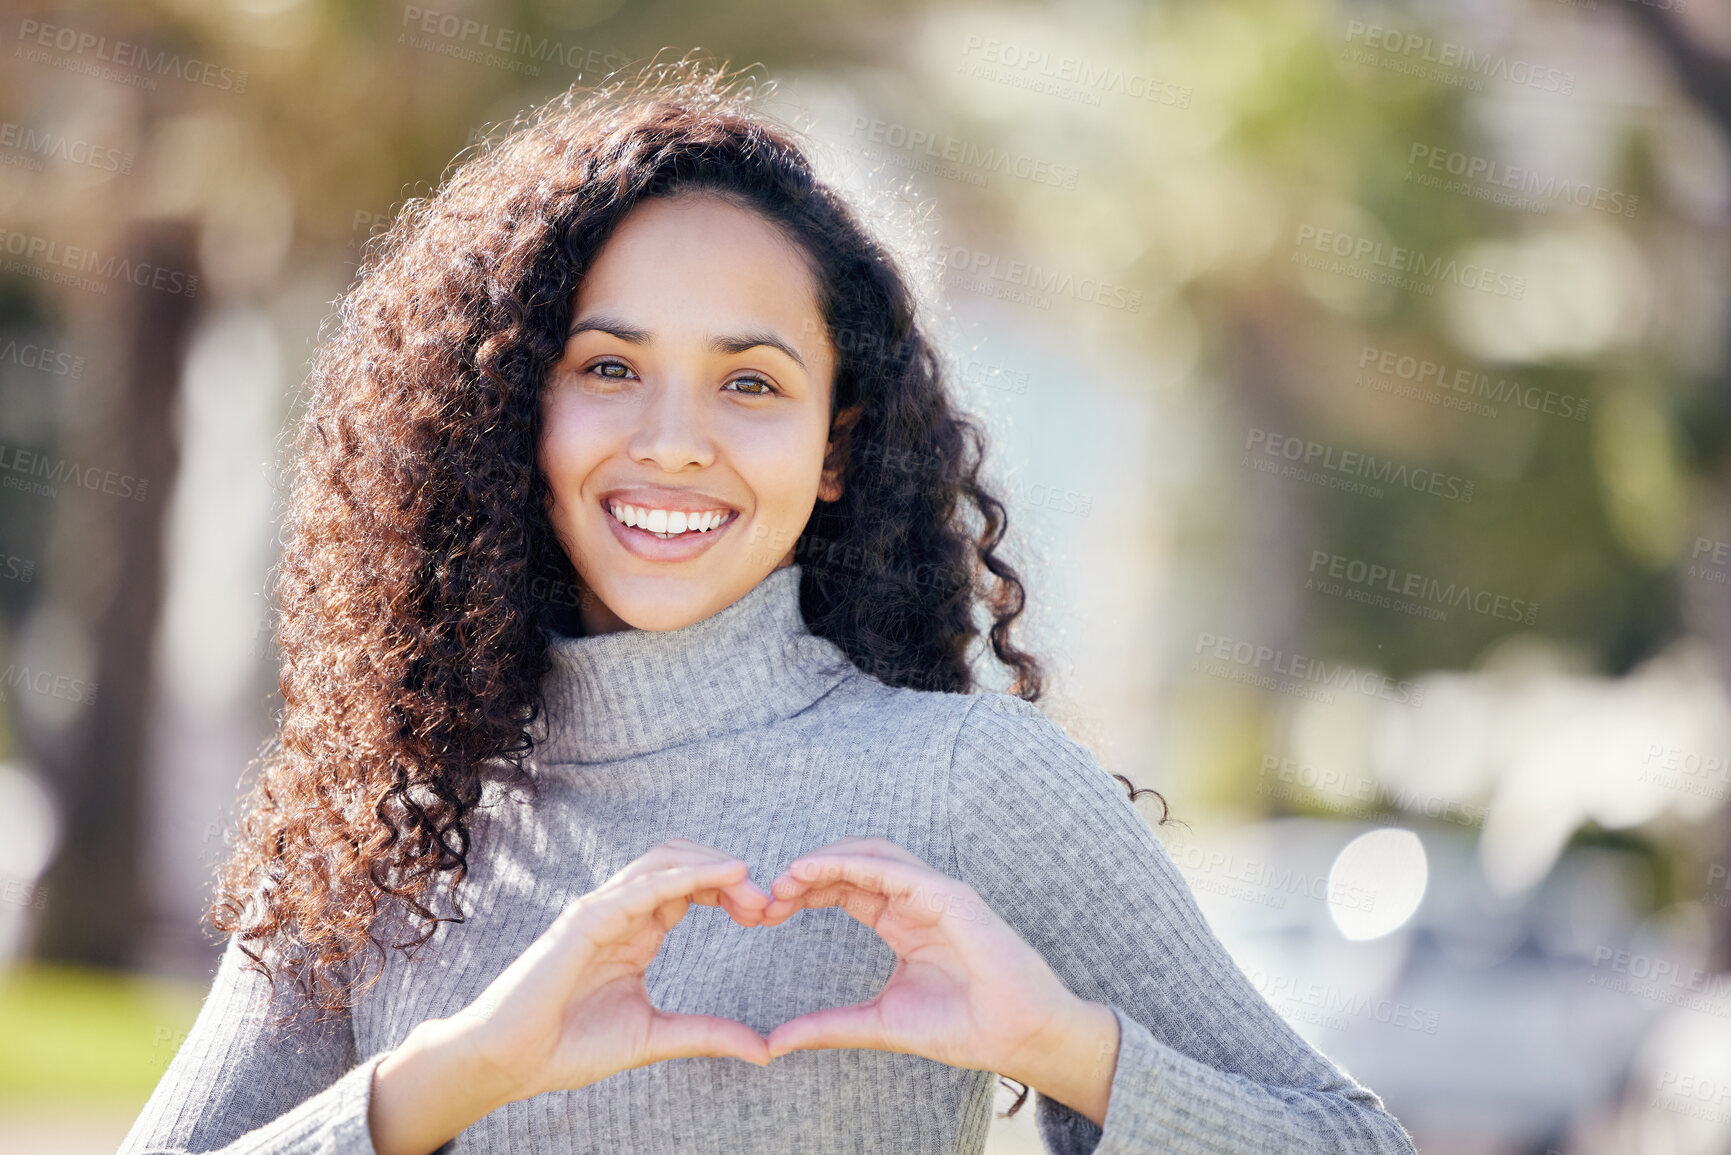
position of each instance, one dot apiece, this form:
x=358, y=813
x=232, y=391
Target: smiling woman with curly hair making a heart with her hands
x=638, y=352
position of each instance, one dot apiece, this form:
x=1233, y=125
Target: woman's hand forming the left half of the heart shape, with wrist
x=572, y=1009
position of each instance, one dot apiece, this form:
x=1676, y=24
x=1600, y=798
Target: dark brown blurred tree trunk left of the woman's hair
x=96, y=882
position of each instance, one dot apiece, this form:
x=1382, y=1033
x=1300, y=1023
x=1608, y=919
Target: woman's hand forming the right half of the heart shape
x=967, y=990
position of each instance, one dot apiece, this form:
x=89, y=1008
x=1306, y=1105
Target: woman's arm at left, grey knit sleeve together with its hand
x=569, y=1012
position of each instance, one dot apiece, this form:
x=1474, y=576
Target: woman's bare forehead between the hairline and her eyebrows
x=702, y=262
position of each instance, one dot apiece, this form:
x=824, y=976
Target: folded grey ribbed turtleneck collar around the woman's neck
x=636, y=692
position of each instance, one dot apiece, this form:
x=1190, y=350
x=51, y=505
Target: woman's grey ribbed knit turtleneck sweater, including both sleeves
x=752, y=735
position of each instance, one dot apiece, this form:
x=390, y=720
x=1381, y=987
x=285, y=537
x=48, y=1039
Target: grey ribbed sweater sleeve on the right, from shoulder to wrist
x=1206, y=1066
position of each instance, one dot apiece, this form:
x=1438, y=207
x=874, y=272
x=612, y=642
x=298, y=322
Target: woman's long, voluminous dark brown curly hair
x=415, y=590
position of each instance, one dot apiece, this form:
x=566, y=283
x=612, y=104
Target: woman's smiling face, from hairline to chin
x=693, y=396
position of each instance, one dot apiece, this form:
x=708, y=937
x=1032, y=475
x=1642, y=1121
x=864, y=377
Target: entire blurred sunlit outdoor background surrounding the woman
x=1356, y=377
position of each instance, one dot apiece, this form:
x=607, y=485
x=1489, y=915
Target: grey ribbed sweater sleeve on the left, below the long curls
x=241, y=1088
